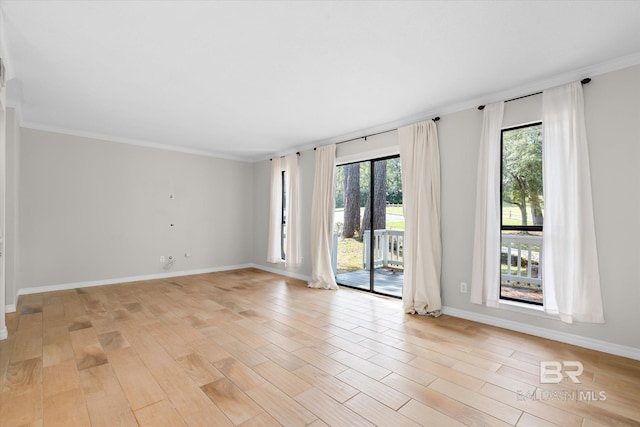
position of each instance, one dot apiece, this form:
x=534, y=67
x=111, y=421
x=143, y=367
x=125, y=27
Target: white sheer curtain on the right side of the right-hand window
x=570, y=259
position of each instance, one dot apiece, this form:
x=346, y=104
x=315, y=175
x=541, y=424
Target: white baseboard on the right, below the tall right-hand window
x=591, y=343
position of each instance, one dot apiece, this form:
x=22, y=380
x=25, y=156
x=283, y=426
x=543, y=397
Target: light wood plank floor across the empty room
x=252, y=348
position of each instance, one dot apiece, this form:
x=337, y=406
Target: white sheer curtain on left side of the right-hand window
x=485, y=273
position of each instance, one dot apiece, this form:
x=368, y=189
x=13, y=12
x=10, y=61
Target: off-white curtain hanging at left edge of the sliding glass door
x=322, y=208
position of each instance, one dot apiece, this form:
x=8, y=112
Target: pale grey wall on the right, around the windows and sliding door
x=613, y=117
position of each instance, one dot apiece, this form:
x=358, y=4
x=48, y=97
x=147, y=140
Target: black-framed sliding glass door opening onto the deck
x=369, y=197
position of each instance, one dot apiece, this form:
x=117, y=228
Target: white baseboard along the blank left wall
x=169, y=274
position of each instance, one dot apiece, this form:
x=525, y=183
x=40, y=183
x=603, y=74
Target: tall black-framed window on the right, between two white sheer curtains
x=522, y=212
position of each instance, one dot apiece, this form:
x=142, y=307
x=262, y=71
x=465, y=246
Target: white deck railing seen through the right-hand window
x=518, y=250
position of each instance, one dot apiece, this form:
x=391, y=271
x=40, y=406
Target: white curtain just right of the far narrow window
x=293, y=255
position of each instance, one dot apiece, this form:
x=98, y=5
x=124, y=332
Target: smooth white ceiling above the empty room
x=248, y=80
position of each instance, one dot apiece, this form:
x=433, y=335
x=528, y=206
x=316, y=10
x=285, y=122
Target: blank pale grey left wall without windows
x=94, y=210
